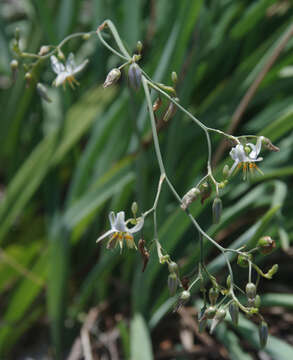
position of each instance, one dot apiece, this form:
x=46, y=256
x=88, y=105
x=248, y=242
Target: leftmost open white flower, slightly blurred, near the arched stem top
x=66, y=72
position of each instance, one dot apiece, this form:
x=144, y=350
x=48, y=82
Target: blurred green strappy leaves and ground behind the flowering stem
x=64, y=165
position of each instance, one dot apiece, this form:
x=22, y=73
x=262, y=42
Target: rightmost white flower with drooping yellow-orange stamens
x=247, y=160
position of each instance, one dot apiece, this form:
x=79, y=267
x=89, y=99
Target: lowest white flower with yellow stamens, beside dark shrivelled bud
x=119, y=231
